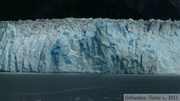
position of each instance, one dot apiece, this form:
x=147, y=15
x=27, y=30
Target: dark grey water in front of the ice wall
x=82, y=87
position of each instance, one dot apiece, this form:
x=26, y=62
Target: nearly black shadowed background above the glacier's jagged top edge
x=114, y=9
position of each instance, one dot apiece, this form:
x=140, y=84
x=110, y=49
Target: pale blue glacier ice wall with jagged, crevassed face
x=86, y=45
